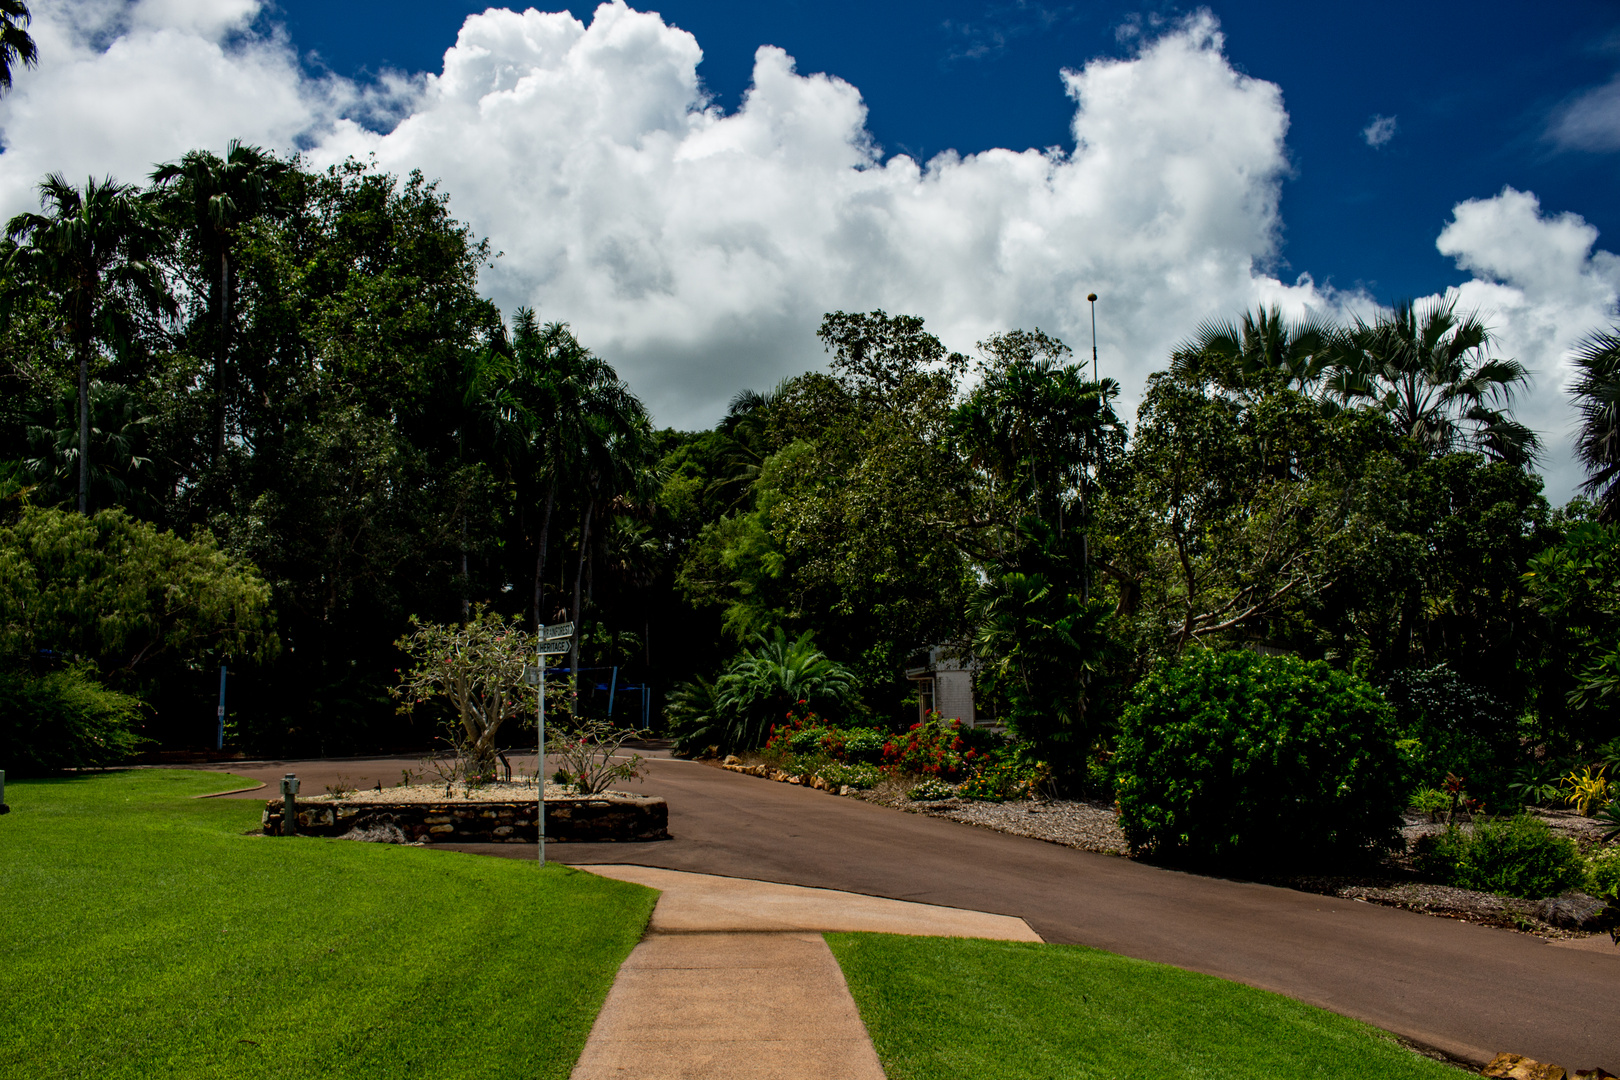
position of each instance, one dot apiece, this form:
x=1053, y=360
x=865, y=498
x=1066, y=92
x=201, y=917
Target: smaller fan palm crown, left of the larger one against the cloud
x=1261, y=351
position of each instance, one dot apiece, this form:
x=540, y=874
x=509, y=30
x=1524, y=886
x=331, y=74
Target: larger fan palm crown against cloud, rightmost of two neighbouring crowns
x=1430, y=370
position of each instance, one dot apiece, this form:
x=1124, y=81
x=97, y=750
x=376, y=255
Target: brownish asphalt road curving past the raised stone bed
x=1467, y=990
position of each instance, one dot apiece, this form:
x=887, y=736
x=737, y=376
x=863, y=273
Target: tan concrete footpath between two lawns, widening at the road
x=735, y=980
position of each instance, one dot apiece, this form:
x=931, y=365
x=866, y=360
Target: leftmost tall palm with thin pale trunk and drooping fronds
x=96, y=252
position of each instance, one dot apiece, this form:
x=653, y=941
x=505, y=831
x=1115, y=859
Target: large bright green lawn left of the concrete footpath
x=143, y=935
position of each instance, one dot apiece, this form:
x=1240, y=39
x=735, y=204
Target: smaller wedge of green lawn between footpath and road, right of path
x=952, y=1008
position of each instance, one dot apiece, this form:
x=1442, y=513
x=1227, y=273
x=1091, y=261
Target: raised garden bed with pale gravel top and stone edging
x=490, y=815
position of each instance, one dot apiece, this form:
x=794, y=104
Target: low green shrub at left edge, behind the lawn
x=64, y=720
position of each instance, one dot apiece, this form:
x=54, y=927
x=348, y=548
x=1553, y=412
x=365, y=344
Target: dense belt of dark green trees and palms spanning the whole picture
x=296, y=372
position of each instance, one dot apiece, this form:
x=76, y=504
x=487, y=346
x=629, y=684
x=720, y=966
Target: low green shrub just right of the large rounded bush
x=1517, y=857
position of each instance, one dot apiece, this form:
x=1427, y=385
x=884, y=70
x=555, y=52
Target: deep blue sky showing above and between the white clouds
x=1472, y=87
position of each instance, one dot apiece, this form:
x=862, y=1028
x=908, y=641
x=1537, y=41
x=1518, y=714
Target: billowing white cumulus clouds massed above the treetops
x=697, y=249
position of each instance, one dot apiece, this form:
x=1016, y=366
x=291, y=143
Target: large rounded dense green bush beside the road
x=1256, y=760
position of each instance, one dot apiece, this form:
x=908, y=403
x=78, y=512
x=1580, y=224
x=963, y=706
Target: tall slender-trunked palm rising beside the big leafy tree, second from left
x=215, y=198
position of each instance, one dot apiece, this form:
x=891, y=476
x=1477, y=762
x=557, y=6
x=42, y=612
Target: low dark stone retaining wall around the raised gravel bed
x=592, y=819
